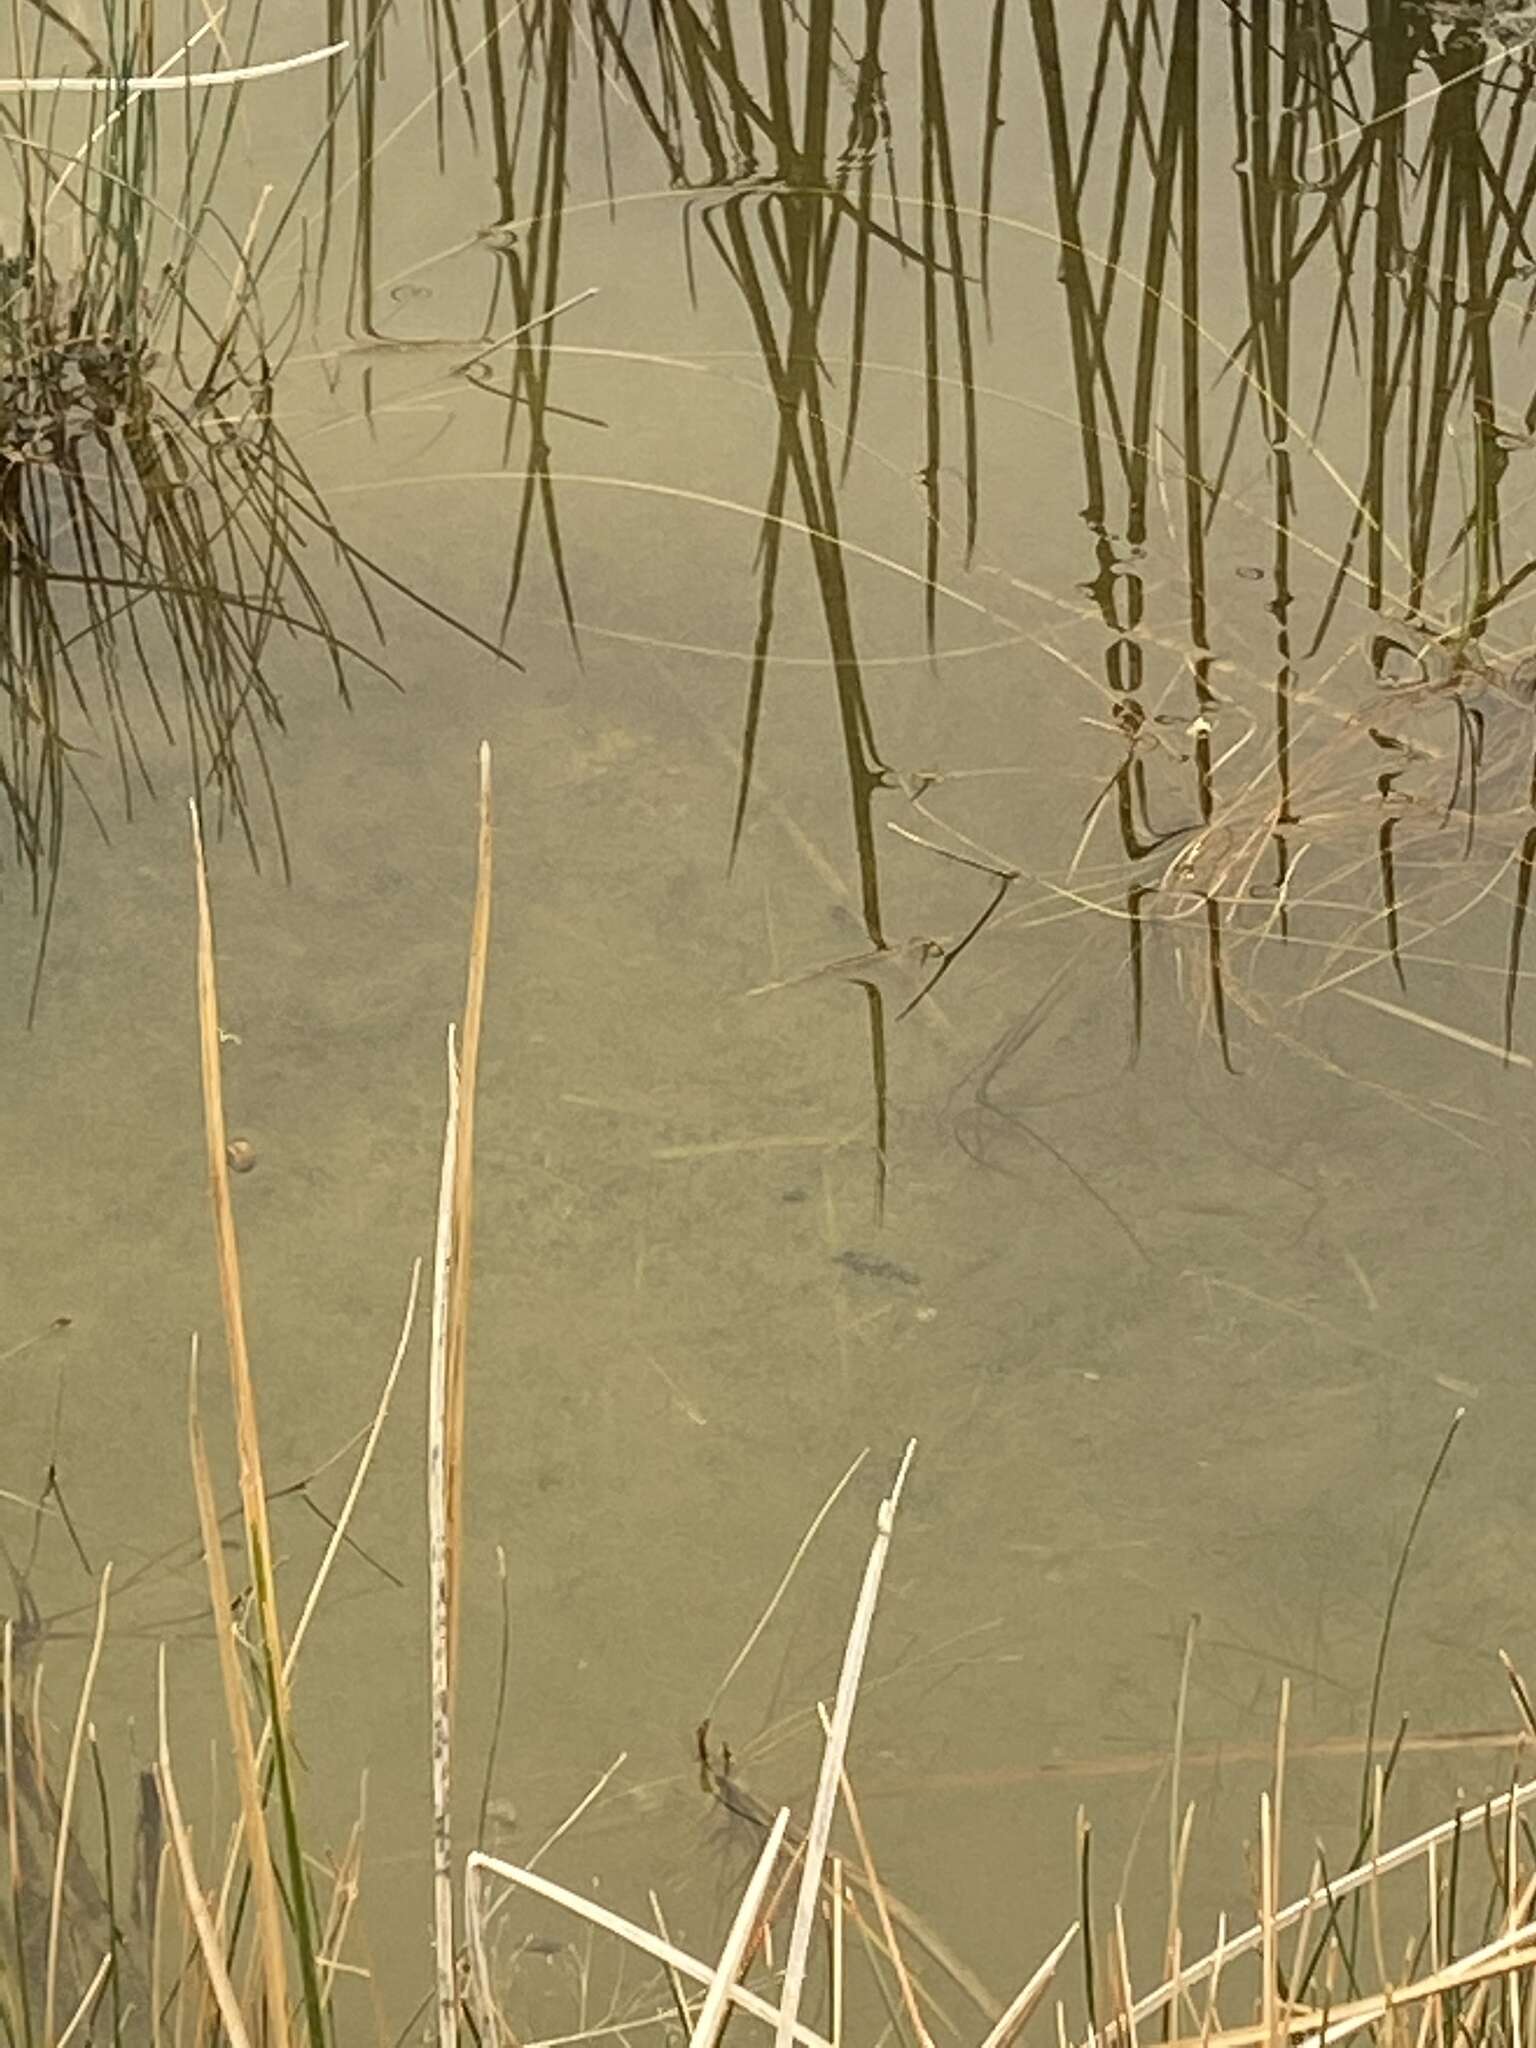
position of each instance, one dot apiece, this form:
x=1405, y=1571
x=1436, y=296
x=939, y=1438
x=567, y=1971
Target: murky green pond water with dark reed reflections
x=1172, y=1222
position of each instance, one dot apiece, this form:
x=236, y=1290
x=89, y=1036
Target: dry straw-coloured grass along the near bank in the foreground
x=1431, y=1940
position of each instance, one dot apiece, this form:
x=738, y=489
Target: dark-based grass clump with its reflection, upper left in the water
x=163, y=544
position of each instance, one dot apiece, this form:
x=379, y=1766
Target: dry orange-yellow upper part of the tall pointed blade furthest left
x=253, y=1490
